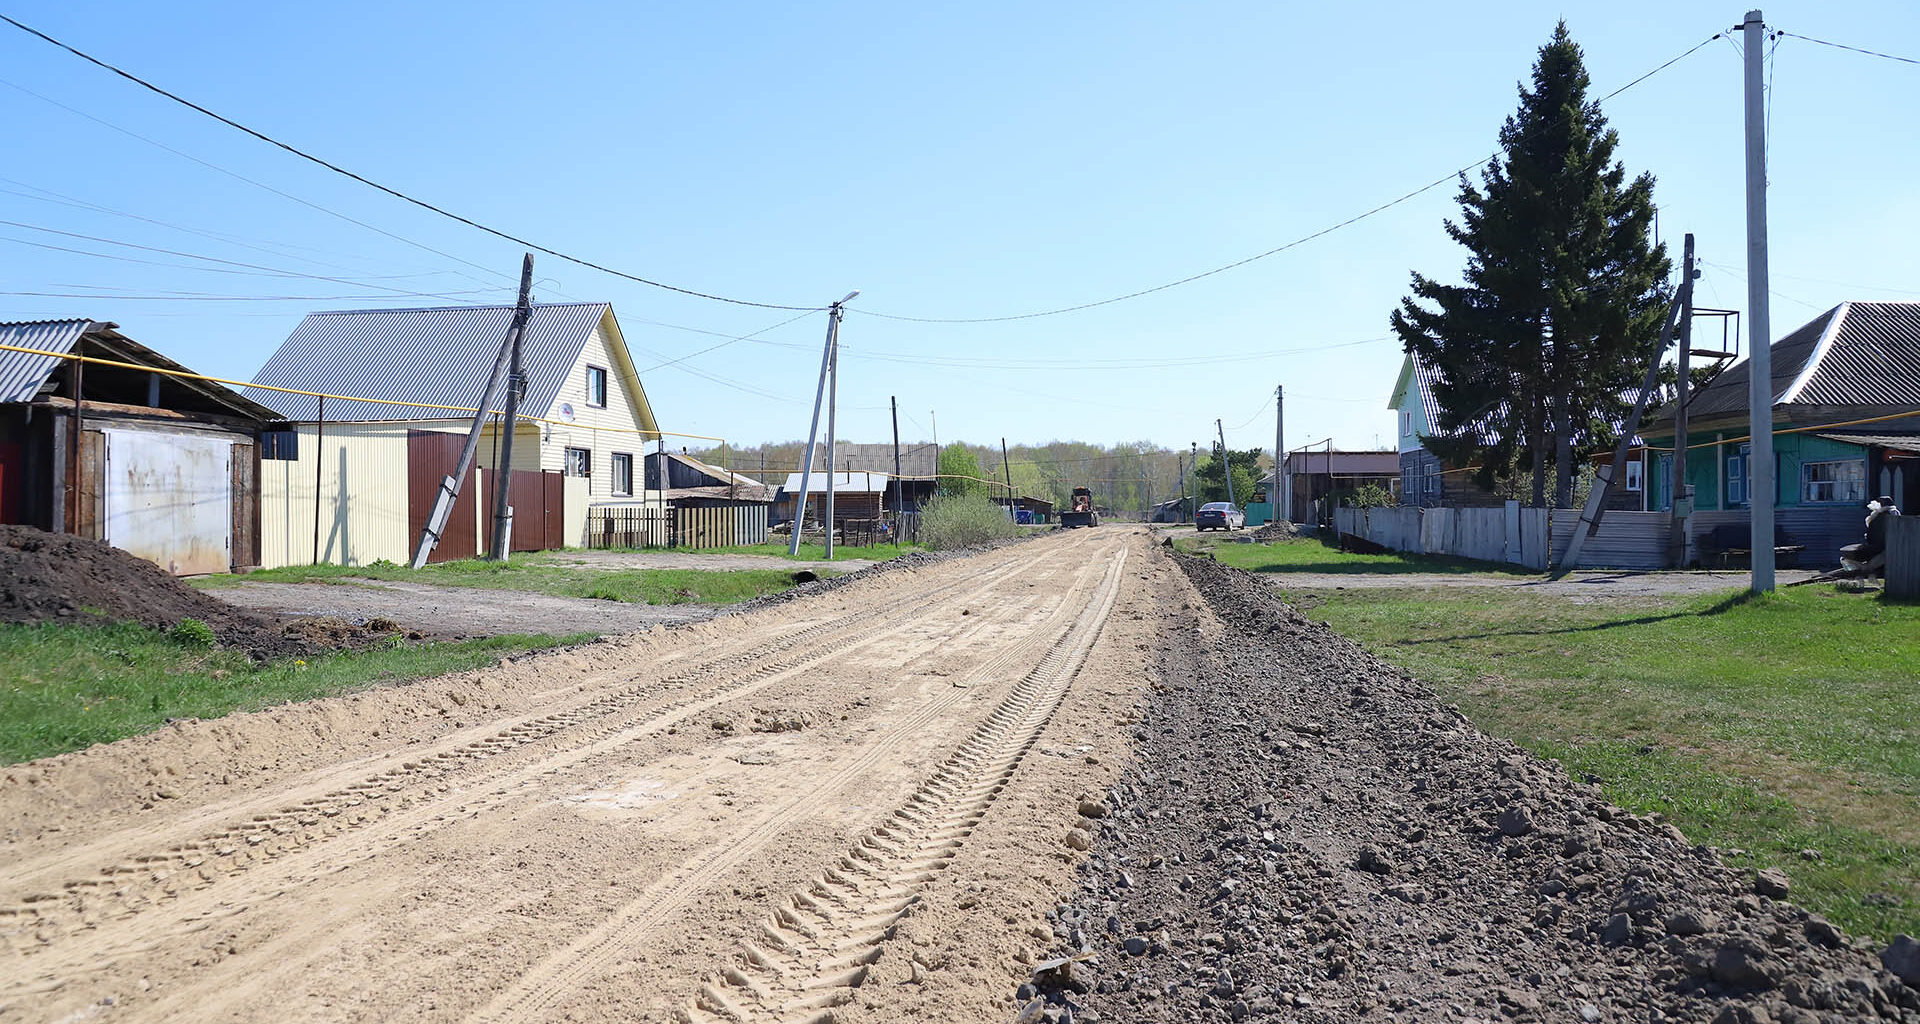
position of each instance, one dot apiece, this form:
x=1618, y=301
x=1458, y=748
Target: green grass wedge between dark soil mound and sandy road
x=74, y=687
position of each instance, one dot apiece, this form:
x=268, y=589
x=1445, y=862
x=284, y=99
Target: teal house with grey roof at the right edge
x=1858, y=362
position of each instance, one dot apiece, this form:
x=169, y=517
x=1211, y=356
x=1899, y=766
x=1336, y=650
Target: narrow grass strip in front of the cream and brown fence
x=654, y=587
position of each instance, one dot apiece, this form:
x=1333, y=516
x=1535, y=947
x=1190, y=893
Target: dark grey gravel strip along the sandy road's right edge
x=1310, y=835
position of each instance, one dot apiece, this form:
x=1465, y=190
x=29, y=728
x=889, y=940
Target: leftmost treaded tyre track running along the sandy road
x=408, y=802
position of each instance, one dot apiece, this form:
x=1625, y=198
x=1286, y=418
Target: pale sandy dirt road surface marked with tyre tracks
x=855, y=800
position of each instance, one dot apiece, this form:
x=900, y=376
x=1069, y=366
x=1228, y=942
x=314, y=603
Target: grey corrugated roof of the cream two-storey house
x=437, y=356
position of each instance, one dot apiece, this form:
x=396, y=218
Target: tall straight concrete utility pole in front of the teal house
x=1762, y=362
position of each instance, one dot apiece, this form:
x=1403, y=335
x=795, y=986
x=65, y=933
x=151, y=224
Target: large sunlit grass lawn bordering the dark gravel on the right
x=1769, y=725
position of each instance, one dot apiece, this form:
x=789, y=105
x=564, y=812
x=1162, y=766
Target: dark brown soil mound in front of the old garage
x=68, y=579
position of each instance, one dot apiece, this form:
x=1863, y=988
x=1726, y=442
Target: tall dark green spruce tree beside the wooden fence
x=1562, y=295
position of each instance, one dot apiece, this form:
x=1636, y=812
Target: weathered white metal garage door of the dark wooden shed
x=170, y=500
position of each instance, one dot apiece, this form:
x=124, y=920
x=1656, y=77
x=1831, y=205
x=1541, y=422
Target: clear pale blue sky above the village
x=959, y=160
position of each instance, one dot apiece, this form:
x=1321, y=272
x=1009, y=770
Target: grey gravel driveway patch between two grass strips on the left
x=458, y=612
